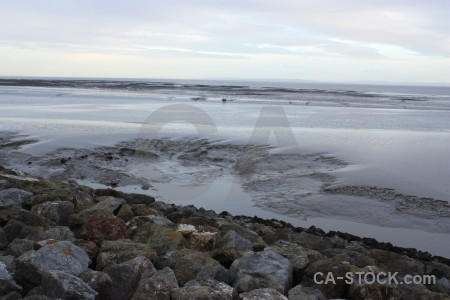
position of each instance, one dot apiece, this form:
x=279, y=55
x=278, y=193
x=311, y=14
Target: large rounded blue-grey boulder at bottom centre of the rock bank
x=266, y=269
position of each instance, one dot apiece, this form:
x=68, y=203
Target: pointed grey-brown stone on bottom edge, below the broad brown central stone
x=157, y=287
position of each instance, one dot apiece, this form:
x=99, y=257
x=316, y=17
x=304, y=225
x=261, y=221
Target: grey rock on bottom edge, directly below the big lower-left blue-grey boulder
x=59, y=284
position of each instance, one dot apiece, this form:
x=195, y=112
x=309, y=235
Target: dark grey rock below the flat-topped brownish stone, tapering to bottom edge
x=126, y=276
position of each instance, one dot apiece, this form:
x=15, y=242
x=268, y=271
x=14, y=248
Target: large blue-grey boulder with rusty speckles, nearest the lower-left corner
x=61, y=256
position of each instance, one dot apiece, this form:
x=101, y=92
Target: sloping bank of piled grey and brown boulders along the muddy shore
x=67, y=241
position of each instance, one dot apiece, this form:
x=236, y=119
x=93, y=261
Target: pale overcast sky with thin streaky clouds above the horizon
x=327, y=40
